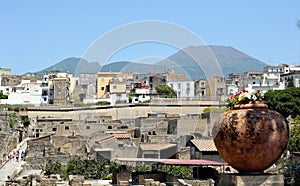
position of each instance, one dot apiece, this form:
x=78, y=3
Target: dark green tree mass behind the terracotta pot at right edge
x=286, y=102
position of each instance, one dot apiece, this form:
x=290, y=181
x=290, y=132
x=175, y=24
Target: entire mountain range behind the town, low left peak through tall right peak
x=193, y=60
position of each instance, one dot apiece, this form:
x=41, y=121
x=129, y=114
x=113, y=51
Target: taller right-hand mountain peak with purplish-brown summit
x=194, y=60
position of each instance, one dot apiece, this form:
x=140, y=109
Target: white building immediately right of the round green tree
x=184, y=89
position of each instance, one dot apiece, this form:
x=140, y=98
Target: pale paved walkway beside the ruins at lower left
x=13, y=166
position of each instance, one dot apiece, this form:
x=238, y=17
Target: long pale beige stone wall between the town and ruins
x=126, y=112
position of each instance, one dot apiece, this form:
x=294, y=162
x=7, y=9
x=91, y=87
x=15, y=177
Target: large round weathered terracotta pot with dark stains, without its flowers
x=250, y=138
